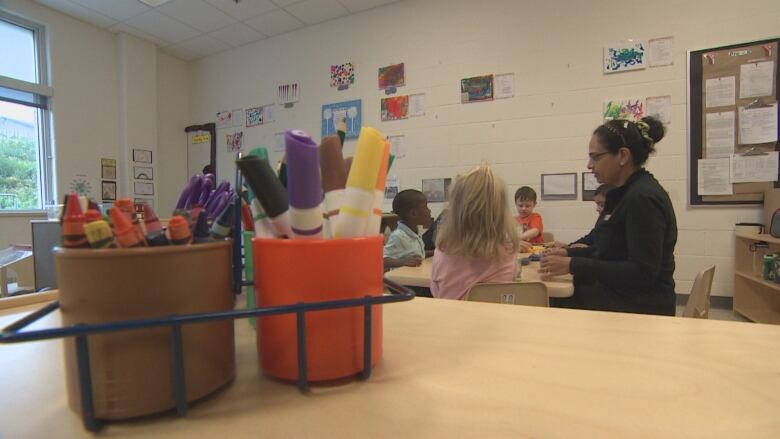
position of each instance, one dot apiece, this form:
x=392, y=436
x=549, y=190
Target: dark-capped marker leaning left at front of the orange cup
x=269, y=191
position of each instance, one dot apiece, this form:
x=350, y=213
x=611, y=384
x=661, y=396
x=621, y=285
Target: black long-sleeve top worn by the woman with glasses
x=631, y=266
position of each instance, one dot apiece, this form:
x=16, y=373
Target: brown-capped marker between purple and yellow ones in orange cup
x=334, y=179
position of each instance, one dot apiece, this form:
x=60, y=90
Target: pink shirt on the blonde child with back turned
x=454, y=275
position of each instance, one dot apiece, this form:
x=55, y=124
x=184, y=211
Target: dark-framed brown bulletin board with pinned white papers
x=736, y=77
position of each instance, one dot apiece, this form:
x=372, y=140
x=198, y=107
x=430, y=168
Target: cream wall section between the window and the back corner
x=90, y=119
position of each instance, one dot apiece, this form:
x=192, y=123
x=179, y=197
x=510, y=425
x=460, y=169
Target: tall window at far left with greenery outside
x=26, y=159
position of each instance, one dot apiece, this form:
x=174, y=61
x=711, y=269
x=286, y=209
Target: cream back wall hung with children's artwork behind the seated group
x=553, y=47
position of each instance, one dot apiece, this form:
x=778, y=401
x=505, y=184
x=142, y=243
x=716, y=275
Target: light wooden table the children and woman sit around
x=559, y=286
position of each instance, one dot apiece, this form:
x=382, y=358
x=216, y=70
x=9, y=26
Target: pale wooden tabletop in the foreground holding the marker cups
x=494, y=371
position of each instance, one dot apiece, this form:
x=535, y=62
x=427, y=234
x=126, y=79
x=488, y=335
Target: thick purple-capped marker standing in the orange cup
x=303, y=185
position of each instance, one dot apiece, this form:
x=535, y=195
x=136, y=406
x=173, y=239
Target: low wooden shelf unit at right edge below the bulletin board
x=755, y=298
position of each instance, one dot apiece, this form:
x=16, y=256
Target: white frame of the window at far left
x=46, y=177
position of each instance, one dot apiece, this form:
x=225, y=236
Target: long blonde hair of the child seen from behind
x=479, y=223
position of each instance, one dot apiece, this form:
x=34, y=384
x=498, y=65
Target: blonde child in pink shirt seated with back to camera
x=478, y=241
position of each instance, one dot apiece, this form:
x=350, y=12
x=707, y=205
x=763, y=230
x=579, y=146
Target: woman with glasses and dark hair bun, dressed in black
x=631, y=266
